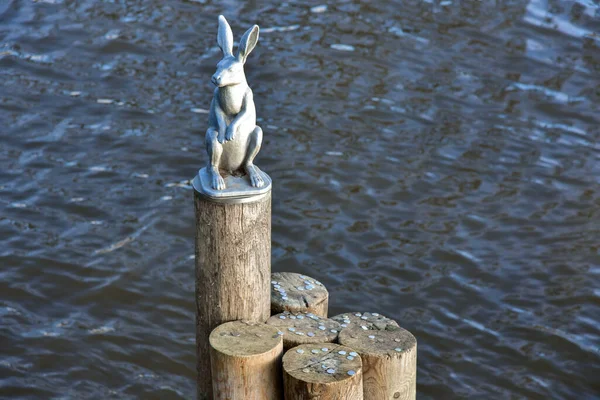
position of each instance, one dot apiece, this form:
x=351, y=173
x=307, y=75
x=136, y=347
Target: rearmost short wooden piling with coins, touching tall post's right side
x=298, y=293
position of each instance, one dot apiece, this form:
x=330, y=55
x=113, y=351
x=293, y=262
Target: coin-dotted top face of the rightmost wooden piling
x=391, y=342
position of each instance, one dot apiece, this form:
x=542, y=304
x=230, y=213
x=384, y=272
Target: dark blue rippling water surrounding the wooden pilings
x=436, y=161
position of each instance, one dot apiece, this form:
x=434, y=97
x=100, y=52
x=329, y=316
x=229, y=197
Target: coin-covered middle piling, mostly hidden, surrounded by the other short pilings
x=304, y=328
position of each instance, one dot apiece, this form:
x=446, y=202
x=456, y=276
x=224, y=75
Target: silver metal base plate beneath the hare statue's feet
x=237, y=188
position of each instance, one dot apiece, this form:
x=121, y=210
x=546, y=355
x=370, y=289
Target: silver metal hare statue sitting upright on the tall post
x=233, y=139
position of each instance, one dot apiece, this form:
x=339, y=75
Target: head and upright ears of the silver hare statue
x=230, y=70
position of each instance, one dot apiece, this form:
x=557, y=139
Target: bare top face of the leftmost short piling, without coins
x=244, y=338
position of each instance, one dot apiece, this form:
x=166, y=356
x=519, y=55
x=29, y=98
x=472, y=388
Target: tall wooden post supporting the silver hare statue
x=233, y=271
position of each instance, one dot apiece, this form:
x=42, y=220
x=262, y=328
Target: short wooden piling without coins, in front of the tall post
x=246, y=361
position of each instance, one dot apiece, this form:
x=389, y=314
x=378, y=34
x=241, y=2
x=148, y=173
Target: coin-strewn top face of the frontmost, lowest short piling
x=322, y=363
